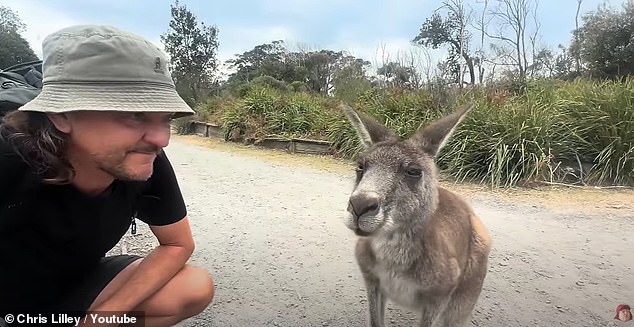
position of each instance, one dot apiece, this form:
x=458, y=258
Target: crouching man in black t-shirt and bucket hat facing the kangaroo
x=77, y=163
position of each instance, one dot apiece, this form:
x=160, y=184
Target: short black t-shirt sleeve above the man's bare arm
x=161, y=202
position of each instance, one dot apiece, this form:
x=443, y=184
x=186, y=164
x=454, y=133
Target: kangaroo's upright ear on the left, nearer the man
x=368, y=129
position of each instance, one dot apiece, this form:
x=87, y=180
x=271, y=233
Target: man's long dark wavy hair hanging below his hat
x=39, y=143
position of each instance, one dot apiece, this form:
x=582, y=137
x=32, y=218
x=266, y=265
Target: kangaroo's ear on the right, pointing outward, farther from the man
x=434, y=136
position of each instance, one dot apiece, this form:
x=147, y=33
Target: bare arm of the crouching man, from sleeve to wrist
x=175, y=247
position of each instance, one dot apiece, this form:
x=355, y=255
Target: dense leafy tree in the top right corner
x=605, y=42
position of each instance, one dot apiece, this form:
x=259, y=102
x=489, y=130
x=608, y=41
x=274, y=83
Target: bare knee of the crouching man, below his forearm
x=198, y=289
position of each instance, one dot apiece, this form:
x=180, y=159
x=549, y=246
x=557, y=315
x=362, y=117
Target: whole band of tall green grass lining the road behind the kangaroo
x=549, y=131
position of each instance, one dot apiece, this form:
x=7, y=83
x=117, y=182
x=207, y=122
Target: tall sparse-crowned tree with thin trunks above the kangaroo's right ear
x=451, y=30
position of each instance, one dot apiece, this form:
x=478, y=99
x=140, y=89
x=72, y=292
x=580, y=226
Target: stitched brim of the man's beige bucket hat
x=132, y=97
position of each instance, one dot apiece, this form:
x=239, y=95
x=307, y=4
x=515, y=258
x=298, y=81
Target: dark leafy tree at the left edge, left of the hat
x=15, y=49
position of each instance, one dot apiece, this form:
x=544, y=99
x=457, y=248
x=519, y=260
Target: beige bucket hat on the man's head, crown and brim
x=102, y=68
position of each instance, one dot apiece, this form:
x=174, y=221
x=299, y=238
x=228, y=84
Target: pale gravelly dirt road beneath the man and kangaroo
x=270, y=230
